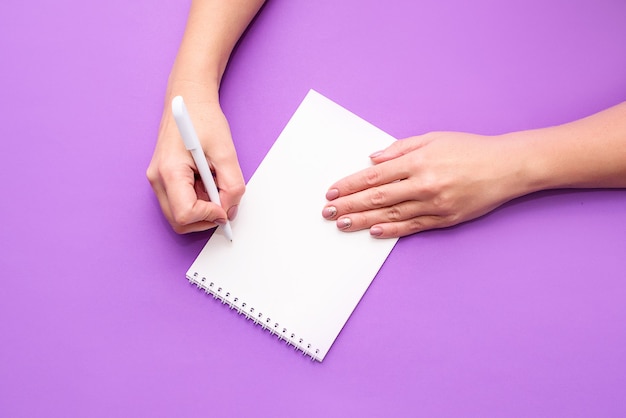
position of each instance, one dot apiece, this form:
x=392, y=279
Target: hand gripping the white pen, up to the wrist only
x=173, y=174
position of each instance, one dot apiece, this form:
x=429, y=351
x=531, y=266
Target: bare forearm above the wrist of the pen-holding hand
x=213, y=28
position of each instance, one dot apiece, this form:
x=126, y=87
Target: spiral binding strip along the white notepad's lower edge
x=242, y=308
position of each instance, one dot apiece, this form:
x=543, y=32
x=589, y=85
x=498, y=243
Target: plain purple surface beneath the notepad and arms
x=519, y=313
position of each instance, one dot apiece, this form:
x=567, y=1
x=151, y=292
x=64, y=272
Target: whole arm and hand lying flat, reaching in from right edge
x=444, y=178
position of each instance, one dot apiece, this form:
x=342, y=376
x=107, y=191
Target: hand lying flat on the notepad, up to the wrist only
x=430, y=181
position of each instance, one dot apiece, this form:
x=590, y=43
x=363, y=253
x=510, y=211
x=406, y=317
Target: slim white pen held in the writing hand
x=192, y=143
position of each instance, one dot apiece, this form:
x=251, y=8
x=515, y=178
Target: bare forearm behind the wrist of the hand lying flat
x=587, y=153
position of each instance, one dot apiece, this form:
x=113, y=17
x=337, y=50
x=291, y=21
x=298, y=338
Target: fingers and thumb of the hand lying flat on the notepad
x=385, y=199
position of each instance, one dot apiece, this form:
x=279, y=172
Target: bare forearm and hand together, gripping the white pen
x=213, y=28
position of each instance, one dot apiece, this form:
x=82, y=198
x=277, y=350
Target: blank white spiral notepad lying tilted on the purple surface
x=287, y=268
